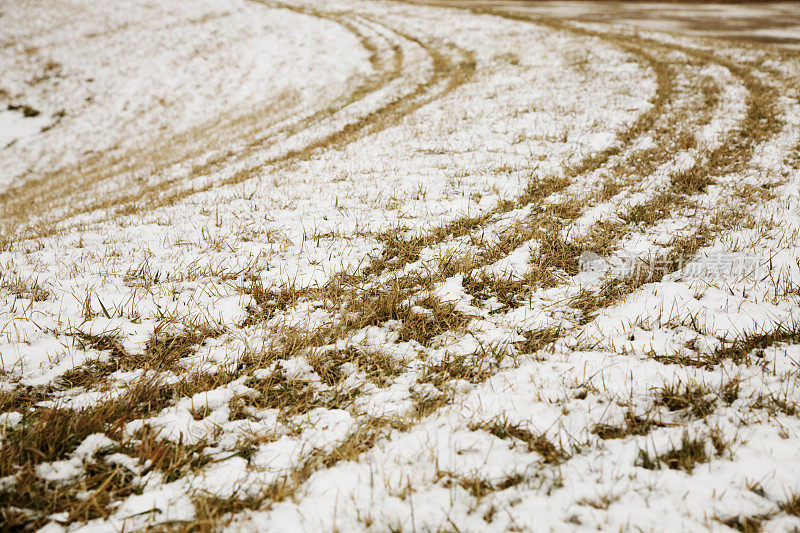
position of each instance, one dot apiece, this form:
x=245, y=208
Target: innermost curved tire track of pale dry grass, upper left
x=50, y=197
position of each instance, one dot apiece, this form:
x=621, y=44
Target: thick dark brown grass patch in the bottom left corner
x=52, y=434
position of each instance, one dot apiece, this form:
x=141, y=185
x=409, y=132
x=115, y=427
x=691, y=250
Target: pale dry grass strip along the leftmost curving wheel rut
x=55, y=191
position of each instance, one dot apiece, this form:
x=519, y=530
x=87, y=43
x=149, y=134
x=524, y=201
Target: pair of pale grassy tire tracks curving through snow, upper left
x=447, y=75
